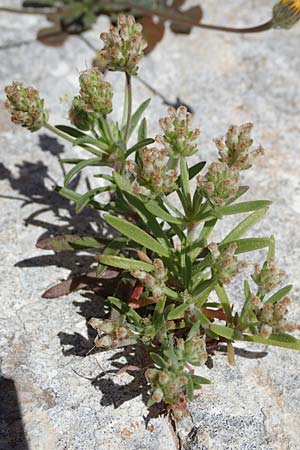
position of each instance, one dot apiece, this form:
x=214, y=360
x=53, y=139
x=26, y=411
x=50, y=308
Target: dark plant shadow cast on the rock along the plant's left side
x=31, y=185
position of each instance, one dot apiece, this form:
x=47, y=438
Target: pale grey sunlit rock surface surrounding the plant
x=63, y=402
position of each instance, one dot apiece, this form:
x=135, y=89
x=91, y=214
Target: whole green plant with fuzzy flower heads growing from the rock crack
x=164, y=212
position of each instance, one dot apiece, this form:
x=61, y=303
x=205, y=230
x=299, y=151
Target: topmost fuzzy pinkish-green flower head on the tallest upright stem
x=123, y=46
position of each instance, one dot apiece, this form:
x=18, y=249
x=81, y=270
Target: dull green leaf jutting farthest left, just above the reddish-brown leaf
x=69, y=242
